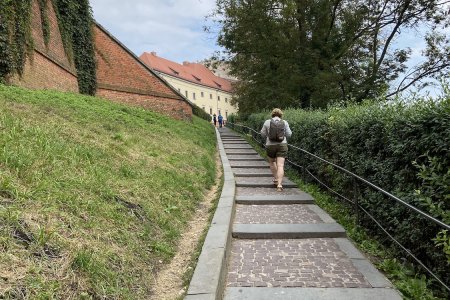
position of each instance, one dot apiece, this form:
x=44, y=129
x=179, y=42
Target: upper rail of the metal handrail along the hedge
x=364, y=181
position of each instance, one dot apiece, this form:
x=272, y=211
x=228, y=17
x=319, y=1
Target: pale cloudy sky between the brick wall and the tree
x=171, y=28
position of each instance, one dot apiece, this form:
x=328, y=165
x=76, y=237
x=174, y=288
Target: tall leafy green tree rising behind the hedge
x=308, y=53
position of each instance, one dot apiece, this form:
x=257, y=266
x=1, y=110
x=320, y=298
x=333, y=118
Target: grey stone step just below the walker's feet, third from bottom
x=302, y=198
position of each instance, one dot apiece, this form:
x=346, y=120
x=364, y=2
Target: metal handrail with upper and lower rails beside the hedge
x=362, y=208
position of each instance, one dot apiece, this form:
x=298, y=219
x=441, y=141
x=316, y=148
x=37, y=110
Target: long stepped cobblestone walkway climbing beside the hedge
x=282, y=245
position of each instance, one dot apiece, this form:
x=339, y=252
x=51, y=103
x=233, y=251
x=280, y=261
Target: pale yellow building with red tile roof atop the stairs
x=195, y=82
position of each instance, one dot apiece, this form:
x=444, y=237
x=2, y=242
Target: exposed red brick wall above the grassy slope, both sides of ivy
x=120, y=76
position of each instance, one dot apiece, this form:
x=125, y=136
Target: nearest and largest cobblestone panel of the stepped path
x=291, y=263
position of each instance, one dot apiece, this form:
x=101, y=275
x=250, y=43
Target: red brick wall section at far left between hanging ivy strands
x=49, y=68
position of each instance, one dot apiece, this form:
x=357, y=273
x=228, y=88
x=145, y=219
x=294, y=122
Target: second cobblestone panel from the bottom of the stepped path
x=275, y=214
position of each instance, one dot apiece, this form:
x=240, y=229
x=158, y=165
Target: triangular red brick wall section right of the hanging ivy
x=121, y=77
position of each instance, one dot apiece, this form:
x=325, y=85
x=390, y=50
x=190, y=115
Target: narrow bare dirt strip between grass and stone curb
x=169, y=281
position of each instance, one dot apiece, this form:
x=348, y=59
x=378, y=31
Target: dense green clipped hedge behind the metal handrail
x=403, y=148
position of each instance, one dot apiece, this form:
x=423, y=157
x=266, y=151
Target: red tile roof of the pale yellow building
x=193, y=72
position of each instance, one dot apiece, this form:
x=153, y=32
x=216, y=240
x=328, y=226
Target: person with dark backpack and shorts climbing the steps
x=276, y=131
